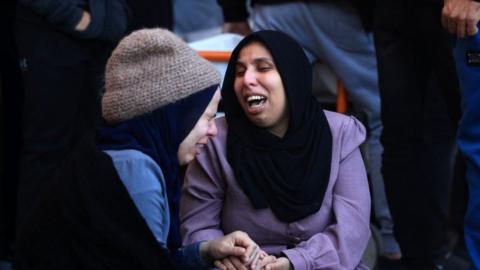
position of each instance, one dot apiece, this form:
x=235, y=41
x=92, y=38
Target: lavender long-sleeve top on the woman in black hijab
x=214, y=204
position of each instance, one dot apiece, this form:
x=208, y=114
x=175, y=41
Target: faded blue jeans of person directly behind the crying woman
x=332, y=32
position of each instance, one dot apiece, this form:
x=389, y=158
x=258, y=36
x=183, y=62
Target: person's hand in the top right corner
x=460, y=17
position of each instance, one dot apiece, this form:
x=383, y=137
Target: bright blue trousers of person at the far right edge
x=469, y=139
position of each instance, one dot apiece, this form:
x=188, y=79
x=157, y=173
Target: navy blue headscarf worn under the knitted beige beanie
x=158, y=134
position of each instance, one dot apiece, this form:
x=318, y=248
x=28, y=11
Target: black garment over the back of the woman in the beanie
x=85, y=219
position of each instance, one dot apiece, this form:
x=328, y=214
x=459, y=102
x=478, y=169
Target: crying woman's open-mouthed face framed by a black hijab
x=259, y=89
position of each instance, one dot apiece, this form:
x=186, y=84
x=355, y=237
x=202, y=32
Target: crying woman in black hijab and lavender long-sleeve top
x=280, y=168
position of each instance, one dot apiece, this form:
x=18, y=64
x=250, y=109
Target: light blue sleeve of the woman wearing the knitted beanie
x=145, y=183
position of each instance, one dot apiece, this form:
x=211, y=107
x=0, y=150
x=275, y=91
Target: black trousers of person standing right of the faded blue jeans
x=420, y=101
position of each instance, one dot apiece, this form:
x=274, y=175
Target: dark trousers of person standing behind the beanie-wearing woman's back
x=62, y=77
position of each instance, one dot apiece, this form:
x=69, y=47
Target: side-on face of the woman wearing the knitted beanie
x=204, y=129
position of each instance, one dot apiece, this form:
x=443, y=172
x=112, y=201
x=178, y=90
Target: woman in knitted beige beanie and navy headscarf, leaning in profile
x=114, y=204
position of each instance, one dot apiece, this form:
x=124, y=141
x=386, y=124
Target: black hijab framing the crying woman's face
x=290, y=174
